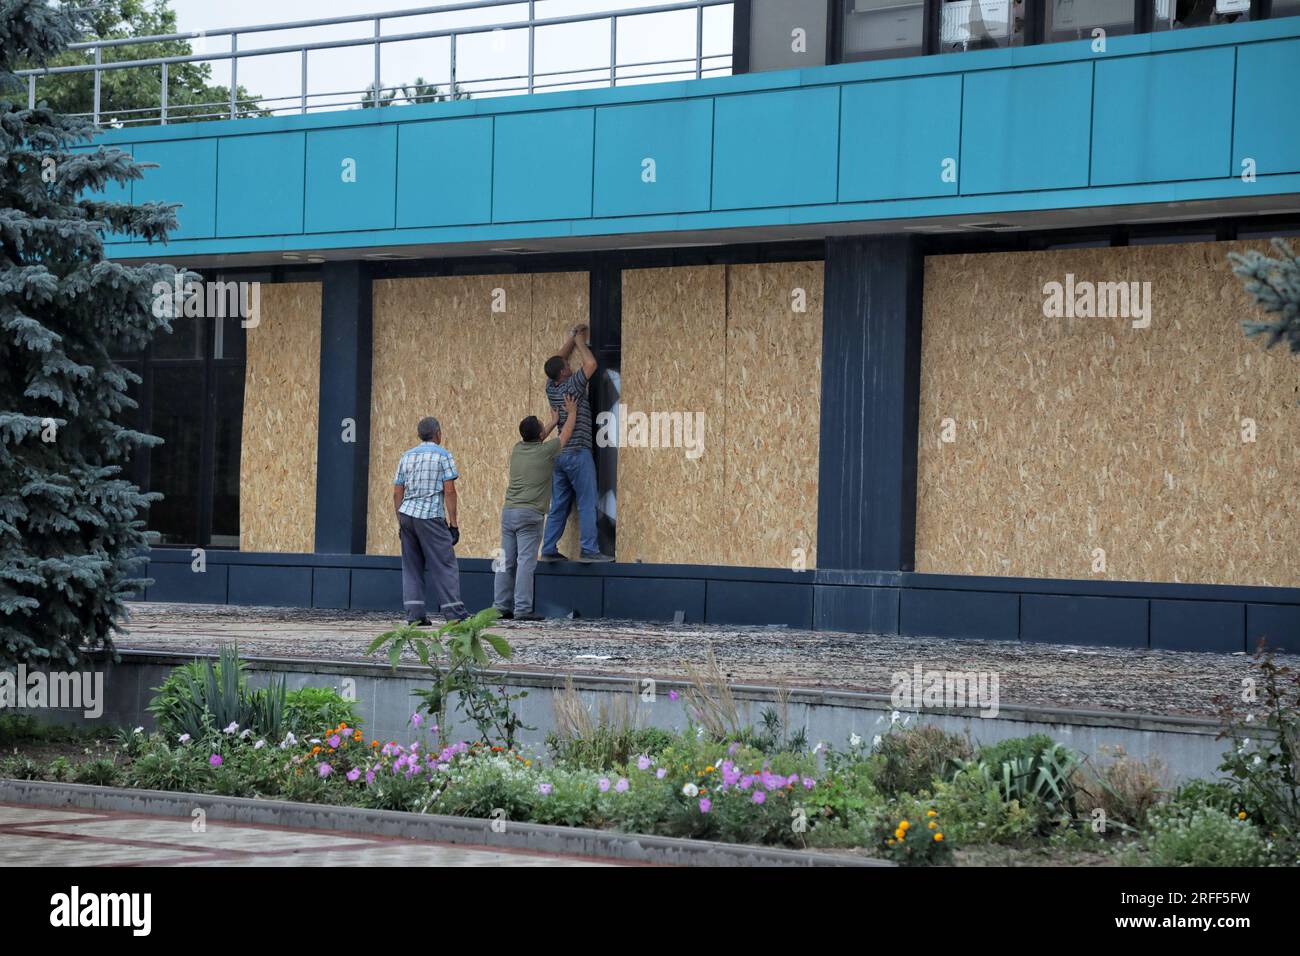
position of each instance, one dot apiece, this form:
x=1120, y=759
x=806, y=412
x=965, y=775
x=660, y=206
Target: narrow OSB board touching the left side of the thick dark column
x=774, y=399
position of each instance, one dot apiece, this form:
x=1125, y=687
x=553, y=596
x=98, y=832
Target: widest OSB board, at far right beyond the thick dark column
x=1074, y=435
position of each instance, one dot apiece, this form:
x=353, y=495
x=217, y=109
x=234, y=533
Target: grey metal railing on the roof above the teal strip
x=527, y=80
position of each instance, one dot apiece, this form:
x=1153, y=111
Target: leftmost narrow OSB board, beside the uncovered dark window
x=278, y=458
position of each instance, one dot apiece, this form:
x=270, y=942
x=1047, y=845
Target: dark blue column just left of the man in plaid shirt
x=343, y=468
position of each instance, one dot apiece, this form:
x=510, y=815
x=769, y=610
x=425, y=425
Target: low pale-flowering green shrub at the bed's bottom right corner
x=1204, y=837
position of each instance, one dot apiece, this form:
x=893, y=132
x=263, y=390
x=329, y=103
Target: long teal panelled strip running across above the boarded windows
x=1155, y=119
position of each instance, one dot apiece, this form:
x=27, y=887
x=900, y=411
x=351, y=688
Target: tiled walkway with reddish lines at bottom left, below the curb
x=40, y=837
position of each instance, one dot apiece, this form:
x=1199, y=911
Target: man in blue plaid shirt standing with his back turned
x=424, y=495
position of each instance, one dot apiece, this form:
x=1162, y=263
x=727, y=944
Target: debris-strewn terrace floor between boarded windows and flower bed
x=1150, y=682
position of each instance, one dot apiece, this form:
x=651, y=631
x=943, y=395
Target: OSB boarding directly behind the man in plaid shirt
x=441, y=349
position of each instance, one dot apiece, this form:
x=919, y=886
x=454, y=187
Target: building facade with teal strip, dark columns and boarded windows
x=935, y=345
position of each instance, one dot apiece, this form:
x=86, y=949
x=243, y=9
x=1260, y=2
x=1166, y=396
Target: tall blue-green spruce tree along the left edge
x=72, y=530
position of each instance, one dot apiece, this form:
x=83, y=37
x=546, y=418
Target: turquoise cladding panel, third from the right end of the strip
x=1026, y=129
